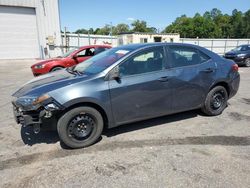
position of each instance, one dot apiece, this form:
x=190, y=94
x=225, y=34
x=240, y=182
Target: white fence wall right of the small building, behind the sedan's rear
x=219, y=46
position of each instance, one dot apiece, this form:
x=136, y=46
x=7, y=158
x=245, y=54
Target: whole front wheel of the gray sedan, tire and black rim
x=80, y=127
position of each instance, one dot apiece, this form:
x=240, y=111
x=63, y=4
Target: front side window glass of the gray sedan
x=147, y=61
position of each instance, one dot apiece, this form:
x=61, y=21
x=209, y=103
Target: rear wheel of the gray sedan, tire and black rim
x=216, y=101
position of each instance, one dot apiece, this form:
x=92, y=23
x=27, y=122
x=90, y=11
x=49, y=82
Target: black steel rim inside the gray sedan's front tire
x=81, y=127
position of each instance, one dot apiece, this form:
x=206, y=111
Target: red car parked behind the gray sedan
x=68, y=59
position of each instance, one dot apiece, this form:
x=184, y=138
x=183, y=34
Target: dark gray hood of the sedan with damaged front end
x=48, y=82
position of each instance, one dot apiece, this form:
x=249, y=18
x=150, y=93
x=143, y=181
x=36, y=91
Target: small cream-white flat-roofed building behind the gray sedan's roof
x=136, y=37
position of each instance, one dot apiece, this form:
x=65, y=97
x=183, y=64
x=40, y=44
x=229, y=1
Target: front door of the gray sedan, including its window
x=143, y=90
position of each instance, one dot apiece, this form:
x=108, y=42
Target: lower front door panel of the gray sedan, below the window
x=140, y=97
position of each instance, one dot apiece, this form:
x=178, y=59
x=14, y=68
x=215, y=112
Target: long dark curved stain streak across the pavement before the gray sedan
x=203, y=140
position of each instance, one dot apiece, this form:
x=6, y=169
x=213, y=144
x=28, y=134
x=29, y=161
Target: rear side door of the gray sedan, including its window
x=191, y=69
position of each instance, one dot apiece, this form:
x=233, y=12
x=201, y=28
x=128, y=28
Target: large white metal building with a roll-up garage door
x=29, y=29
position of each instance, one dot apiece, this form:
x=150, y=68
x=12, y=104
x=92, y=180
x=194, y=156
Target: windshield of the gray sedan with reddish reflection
x=101, y=61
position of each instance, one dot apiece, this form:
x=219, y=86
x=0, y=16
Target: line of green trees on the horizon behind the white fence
x=212, y=24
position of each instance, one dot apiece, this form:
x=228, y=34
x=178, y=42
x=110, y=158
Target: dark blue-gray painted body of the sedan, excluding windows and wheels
x=141, y=96
